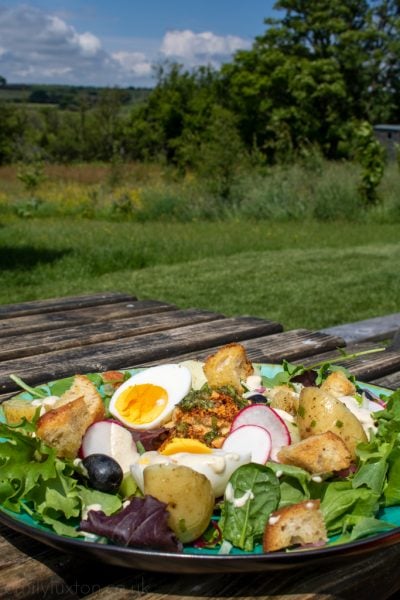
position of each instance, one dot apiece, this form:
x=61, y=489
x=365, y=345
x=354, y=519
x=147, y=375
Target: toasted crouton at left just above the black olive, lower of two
x=63, y=428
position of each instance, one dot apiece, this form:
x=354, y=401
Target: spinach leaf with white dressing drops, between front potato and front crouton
x=252, y=494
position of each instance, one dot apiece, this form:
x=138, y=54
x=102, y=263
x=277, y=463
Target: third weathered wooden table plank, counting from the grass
x=82, y=335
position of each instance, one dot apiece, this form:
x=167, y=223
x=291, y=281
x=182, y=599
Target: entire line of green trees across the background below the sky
x=318, y=74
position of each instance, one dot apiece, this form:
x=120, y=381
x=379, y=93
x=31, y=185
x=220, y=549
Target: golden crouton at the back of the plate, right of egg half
x=228, y=366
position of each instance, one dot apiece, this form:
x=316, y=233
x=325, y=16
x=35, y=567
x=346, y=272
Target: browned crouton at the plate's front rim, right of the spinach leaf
x=298, y=524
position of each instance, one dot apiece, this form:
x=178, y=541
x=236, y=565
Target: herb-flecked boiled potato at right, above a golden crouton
x=320, y=411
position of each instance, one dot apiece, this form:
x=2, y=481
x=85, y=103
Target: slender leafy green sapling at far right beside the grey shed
x=371, y=156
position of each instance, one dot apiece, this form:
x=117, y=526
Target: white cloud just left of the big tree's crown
x=198, y=48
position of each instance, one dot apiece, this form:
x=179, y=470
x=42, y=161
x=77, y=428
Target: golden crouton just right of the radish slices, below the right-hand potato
x=320, y=453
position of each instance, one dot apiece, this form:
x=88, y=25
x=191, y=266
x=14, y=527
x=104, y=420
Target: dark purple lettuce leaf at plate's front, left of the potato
x=142, y=523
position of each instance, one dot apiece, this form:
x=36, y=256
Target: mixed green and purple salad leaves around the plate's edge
x=54, y=493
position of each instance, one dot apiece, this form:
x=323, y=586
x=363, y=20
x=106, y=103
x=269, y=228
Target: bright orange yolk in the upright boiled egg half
x=142, y=403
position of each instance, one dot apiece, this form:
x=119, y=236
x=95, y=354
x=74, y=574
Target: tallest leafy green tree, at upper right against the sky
x=313, y=73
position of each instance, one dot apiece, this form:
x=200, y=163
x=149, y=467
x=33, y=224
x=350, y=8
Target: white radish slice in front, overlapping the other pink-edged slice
x=251, y=438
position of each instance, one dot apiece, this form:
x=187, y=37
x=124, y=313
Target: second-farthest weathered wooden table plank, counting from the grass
x=59, y=320
